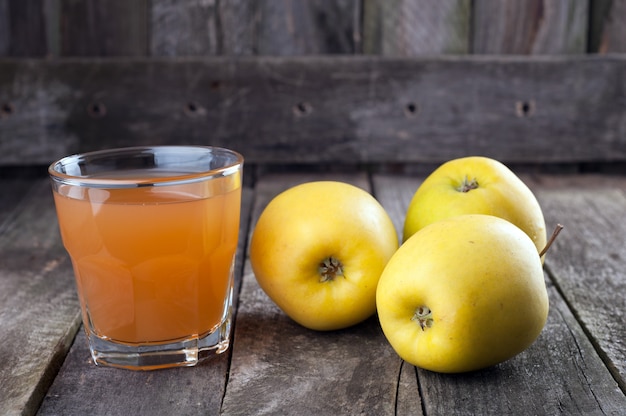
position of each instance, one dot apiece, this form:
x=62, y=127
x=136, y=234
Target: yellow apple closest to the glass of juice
x=318, y=250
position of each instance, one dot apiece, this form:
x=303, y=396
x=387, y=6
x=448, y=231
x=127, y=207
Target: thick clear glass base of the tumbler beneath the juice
x=184, y=353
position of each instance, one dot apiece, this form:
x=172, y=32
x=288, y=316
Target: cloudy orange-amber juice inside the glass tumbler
x=152, y=265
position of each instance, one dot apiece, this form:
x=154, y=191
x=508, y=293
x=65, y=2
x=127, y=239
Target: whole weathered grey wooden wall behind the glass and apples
x=321, y=81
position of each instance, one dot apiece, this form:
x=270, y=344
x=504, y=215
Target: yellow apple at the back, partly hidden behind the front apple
x=476, y=185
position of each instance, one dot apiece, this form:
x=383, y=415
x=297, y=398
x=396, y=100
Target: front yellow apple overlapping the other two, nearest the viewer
x=463, y=294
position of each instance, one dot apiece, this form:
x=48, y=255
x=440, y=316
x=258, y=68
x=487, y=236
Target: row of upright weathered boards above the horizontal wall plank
x=61, y=28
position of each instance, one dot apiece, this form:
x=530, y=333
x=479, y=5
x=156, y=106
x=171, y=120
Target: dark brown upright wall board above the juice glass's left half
x=111, y=28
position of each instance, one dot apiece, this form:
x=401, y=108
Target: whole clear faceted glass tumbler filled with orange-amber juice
x=152, y=235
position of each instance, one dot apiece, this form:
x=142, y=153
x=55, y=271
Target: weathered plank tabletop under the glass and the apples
x=577, y=365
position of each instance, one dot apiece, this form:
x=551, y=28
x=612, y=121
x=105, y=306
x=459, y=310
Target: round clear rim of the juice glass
x=176, y=179
